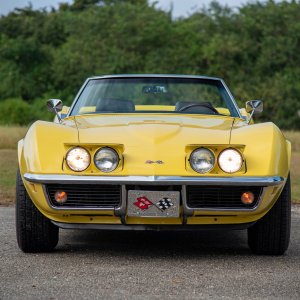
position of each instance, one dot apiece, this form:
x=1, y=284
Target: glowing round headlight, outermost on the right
x=230, y=160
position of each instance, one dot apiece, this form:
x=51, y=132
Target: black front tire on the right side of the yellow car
x=271, y=234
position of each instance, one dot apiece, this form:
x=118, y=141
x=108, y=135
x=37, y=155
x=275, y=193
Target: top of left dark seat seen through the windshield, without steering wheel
x=115, y=105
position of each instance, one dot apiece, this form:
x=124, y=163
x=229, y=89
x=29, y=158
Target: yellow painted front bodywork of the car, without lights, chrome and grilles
x=140, y=137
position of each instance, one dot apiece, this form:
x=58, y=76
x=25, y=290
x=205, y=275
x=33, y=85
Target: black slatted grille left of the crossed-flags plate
x=86, y=195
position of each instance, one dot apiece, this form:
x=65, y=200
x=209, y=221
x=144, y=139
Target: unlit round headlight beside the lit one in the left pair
x=106, y=159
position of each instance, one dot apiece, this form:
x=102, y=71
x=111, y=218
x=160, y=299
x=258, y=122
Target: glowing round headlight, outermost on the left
x=78, y=159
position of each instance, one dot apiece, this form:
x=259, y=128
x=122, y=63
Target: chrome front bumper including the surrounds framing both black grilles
x=153, y=180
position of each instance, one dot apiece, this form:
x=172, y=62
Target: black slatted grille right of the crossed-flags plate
x=227, y=197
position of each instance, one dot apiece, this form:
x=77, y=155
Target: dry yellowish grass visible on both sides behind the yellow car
x=9, y=136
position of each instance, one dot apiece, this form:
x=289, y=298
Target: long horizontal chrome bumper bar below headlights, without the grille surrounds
x=159, y=180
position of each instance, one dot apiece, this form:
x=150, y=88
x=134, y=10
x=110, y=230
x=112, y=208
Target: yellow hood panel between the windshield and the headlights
x=154, y=130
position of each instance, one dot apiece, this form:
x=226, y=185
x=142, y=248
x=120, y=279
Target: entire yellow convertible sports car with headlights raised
x=154, y=152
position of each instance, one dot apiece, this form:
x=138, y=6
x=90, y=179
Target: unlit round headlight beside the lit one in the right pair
x=202, y=160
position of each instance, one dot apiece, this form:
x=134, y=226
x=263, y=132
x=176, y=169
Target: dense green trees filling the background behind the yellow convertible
x=254, y=48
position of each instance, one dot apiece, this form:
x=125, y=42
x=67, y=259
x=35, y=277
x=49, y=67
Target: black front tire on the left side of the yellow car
x=35, y=233
